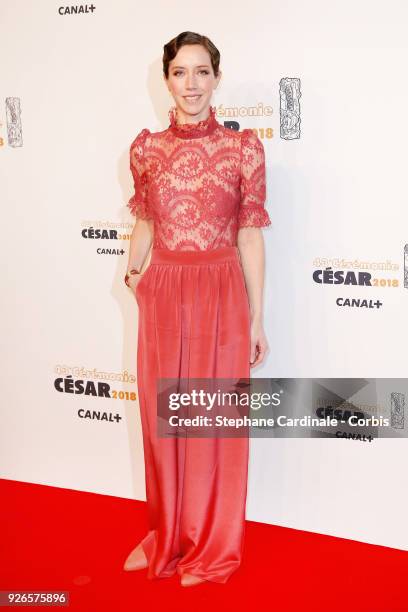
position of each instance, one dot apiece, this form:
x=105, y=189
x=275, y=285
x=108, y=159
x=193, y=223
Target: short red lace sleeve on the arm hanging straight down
x=252, y=210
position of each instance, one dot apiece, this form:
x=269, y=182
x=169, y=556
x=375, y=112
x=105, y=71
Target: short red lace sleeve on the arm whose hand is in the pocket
x=138, y=203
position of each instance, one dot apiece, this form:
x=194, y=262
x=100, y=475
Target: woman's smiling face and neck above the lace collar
x=191, y=82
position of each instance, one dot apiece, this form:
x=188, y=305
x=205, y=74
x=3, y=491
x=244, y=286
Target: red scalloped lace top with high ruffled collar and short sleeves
x=198, y=182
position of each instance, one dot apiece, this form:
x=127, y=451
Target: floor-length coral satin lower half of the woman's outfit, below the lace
x=194, y=322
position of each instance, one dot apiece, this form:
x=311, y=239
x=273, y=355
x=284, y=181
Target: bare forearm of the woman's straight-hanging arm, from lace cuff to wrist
x=252, y=251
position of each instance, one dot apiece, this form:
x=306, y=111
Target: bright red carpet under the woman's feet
x=59, y=539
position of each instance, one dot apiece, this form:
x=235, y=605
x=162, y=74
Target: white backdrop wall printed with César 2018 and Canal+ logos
x=86, y=84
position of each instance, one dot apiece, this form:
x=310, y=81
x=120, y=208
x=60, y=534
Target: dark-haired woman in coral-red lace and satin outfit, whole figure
x=199, y=201
